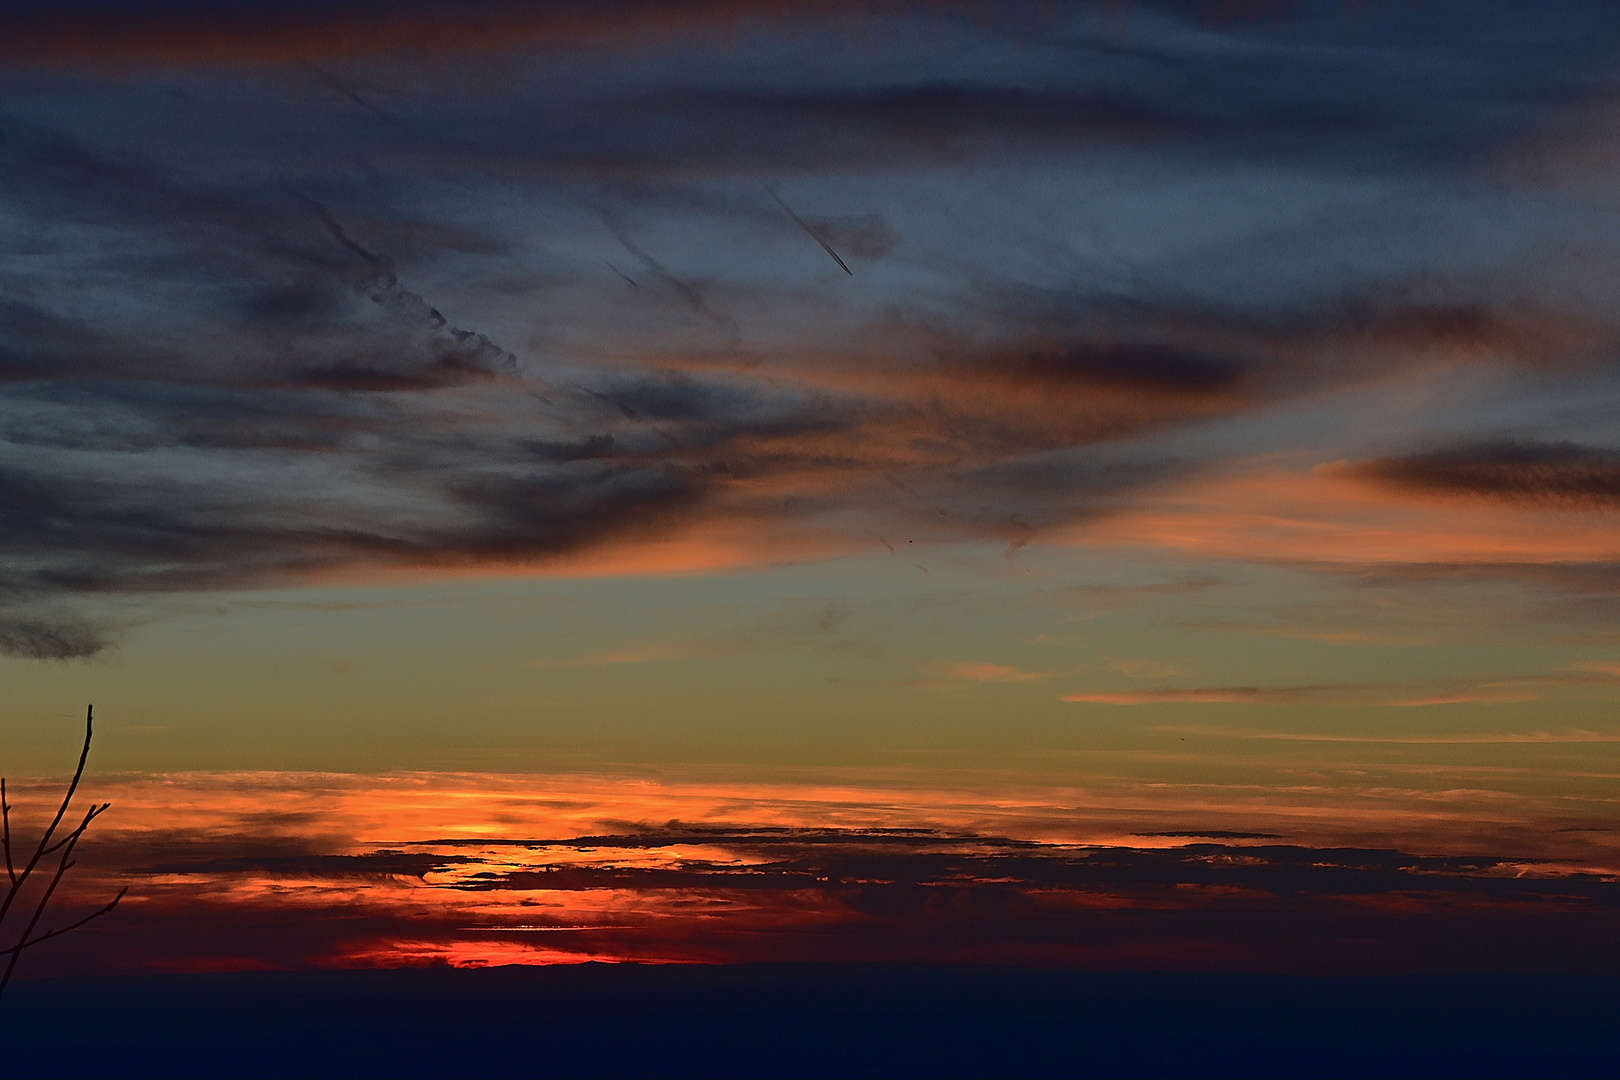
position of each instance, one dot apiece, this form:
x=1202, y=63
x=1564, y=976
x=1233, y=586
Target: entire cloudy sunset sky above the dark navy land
x=974, y=441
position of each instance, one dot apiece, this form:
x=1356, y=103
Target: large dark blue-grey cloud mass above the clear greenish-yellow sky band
x=322, y=289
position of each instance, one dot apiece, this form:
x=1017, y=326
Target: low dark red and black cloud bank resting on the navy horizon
x=725, y=893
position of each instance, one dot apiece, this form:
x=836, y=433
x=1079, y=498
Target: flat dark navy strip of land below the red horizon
x=801, y=1021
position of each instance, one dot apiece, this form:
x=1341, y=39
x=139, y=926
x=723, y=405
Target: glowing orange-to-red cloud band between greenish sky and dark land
x=471, y=870
